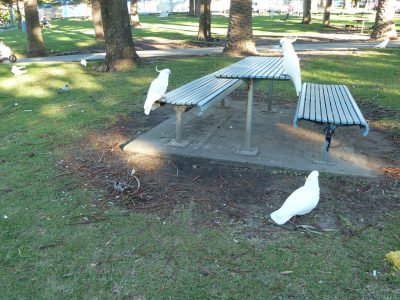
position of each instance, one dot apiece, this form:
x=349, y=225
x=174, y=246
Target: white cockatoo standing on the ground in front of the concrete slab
x=300, y=202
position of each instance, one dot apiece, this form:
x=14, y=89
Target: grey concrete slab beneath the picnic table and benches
x=219, y=133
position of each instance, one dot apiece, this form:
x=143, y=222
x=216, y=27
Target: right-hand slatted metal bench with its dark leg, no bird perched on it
x=332, y=105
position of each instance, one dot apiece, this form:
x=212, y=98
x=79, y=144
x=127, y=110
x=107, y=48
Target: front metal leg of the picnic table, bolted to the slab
x=247, y=149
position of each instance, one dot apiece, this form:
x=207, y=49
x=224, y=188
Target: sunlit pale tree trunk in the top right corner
x=384, y=26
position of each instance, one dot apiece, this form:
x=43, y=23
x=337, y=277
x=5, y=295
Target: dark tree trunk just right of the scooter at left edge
x=33, y=30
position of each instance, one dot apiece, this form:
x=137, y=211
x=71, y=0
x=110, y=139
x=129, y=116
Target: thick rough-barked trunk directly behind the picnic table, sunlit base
x=240, y=30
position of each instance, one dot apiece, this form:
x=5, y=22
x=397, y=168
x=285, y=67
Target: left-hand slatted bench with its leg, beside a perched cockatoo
x=200, y=93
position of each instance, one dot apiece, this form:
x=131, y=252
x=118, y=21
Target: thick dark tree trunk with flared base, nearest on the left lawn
x=120, y=52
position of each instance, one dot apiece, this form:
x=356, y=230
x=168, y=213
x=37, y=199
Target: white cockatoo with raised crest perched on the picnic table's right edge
x=291, y=62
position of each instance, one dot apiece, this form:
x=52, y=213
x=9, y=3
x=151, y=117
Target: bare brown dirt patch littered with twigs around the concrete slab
x=215, y=191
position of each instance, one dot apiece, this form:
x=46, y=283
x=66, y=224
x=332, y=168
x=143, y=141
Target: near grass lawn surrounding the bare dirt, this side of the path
x=44, y=255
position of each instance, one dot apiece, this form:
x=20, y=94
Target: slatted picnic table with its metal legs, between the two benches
x=250, y=70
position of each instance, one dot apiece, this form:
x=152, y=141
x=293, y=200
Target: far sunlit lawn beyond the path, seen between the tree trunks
x=71, y=35
